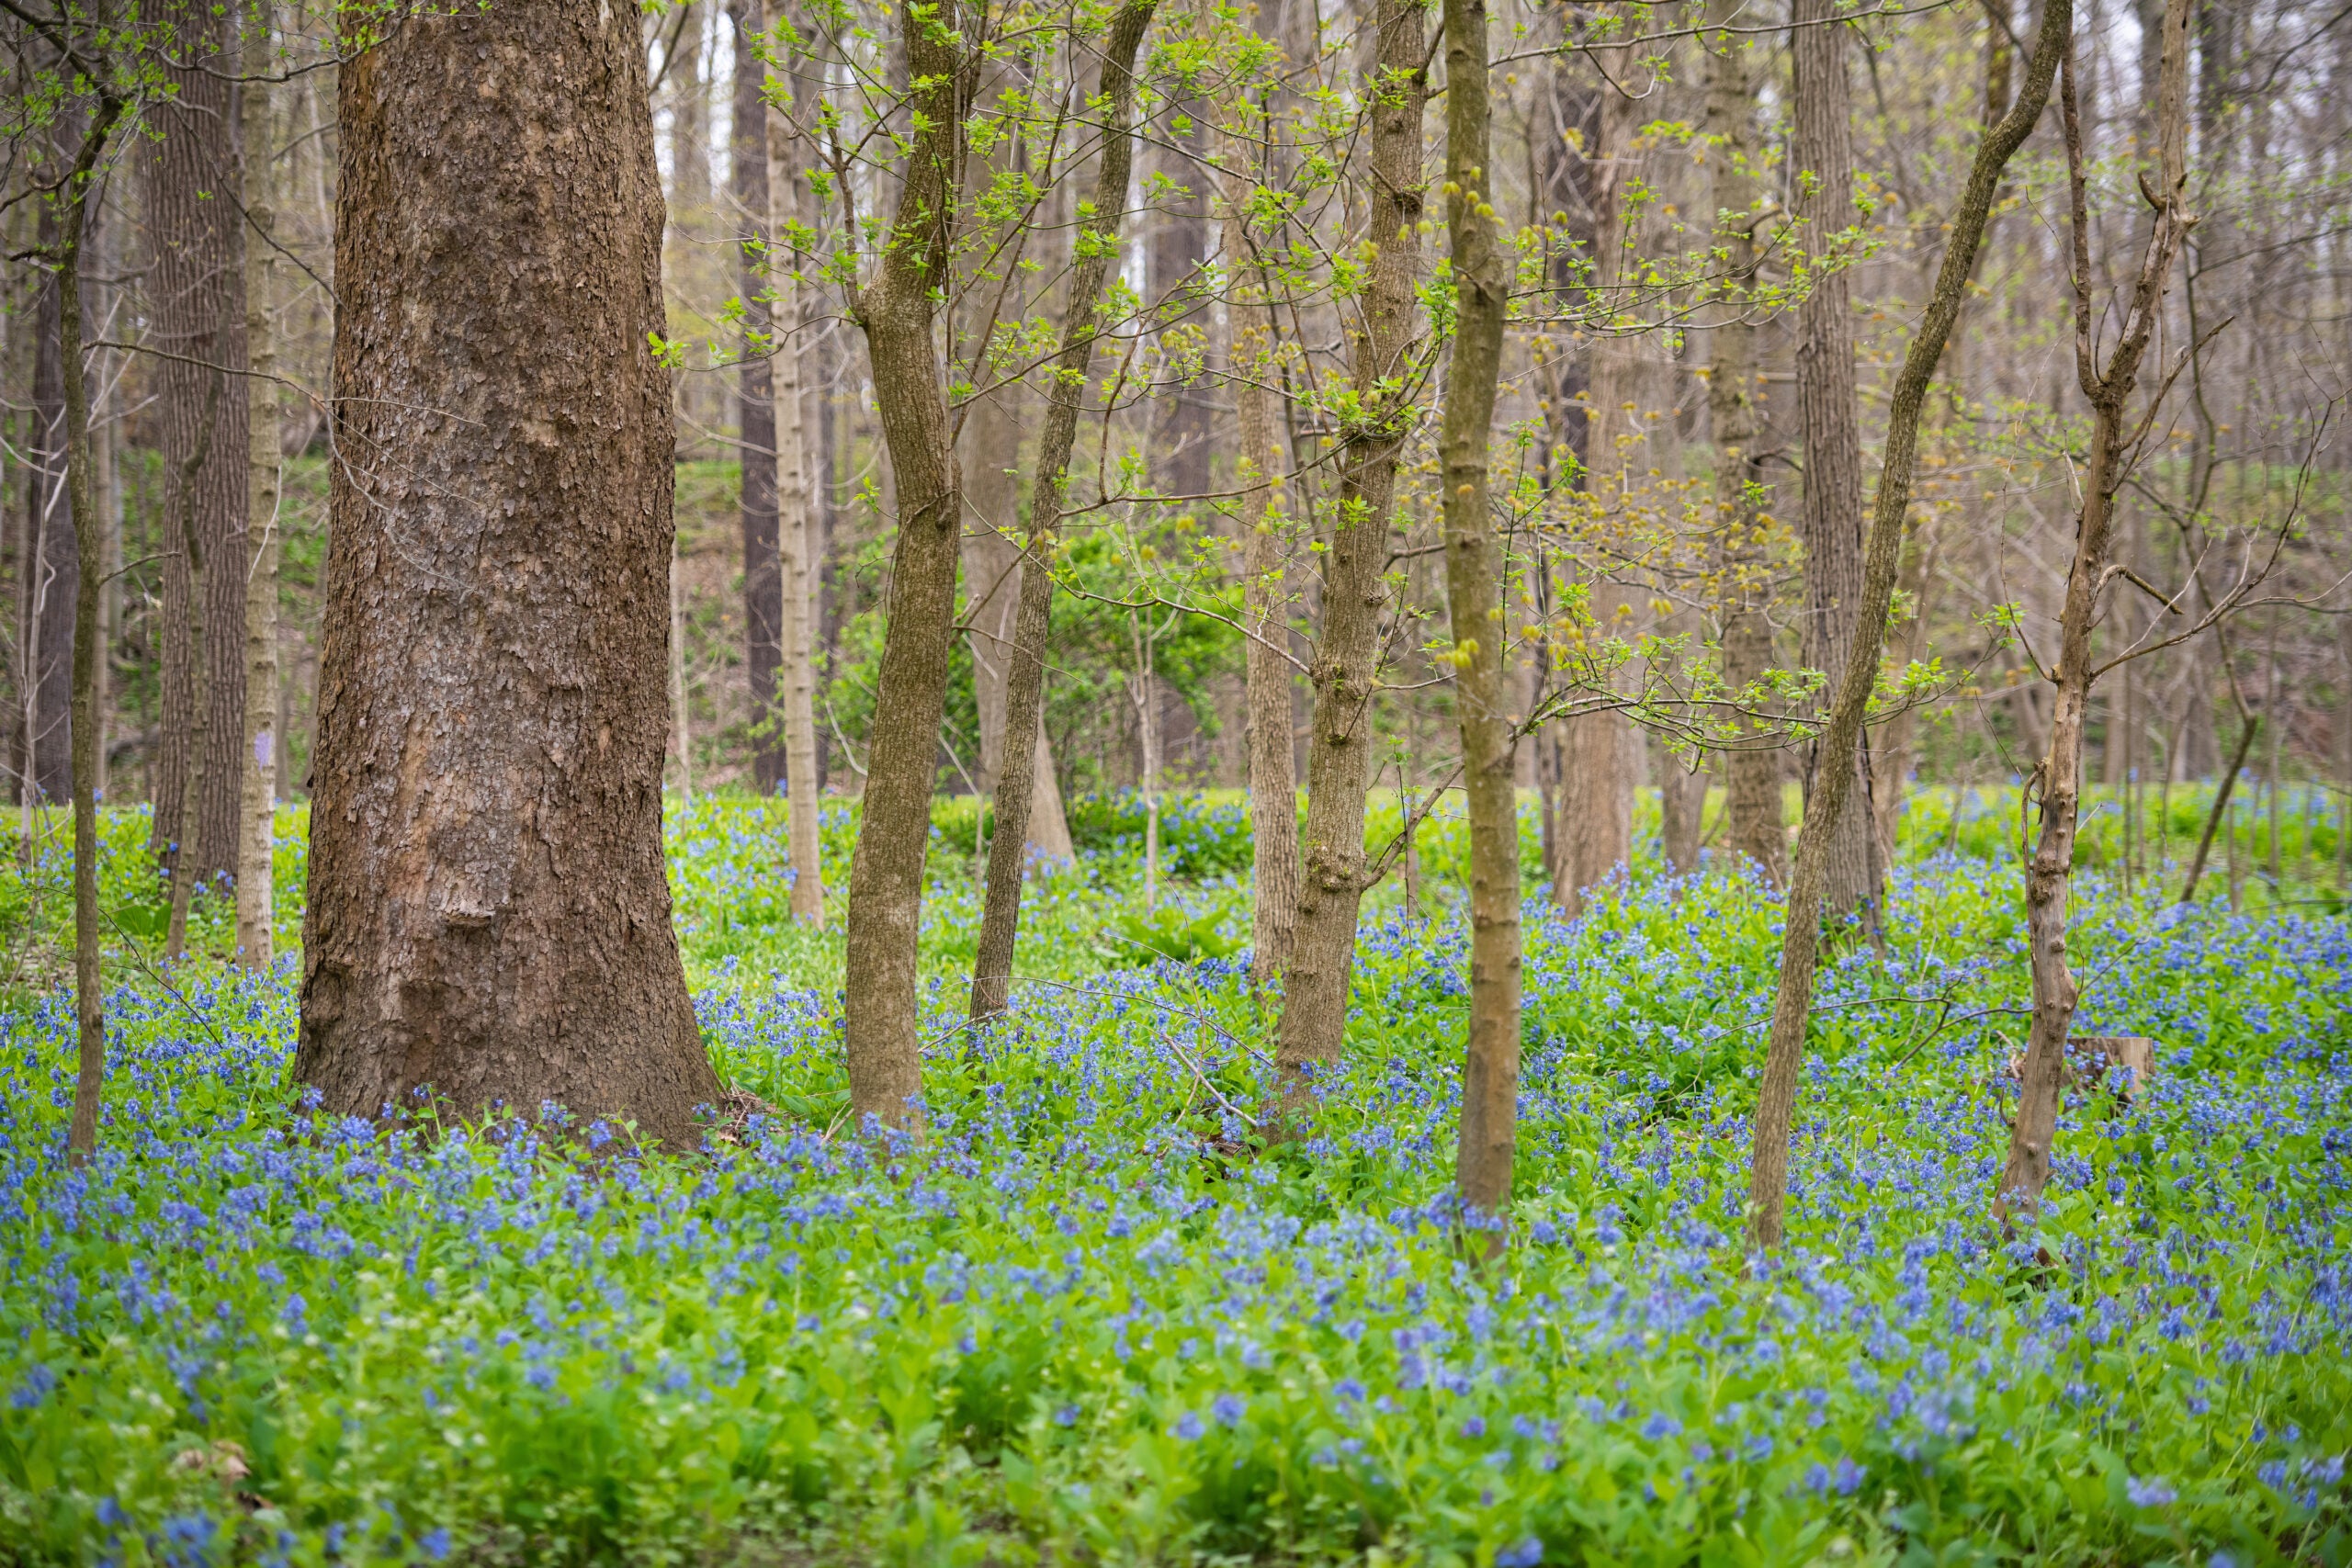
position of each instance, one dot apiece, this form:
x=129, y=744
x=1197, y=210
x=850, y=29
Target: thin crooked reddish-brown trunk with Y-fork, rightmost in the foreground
x=2050, y=871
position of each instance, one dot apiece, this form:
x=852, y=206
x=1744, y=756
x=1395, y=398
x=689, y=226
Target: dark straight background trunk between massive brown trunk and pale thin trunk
x=756, y=410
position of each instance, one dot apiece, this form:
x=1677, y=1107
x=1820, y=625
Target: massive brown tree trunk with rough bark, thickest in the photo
x=488, y=906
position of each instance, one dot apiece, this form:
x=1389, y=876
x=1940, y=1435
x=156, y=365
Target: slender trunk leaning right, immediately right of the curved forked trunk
x=1020, y=784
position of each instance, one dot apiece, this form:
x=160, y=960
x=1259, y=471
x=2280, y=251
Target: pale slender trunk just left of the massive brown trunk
x=260, y=544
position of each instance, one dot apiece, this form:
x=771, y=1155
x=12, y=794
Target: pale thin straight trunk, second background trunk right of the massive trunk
x=796, y=502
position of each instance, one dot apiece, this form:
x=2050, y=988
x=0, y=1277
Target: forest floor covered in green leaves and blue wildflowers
x=1085, y=1322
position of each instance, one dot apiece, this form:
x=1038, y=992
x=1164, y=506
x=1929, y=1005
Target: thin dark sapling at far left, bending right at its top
x=91, y=551
